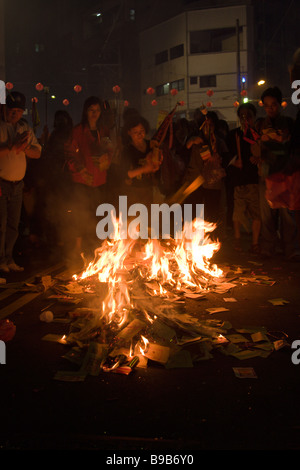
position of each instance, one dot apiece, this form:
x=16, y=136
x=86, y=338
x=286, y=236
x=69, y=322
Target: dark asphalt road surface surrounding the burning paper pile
x=204, y=407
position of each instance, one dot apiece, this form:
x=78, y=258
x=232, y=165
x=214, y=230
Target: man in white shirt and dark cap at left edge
x=17, y=141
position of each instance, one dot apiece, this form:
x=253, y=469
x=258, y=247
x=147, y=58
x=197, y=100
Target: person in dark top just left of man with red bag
x=243, y=174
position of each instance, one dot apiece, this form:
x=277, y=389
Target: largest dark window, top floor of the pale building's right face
x=214, y=40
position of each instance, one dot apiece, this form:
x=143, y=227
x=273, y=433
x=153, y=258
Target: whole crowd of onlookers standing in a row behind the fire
x=51, y=187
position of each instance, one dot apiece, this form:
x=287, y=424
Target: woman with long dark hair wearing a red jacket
x=90, y=157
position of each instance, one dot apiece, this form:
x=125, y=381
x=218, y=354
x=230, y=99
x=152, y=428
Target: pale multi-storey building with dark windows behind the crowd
x=194, y=52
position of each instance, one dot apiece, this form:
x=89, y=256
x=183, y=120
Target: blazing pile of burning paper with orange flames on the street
x=135, y=305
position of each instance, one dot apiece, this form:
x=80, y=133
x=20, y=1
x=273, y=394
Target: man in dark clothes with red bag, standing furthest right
x=275, y=133
